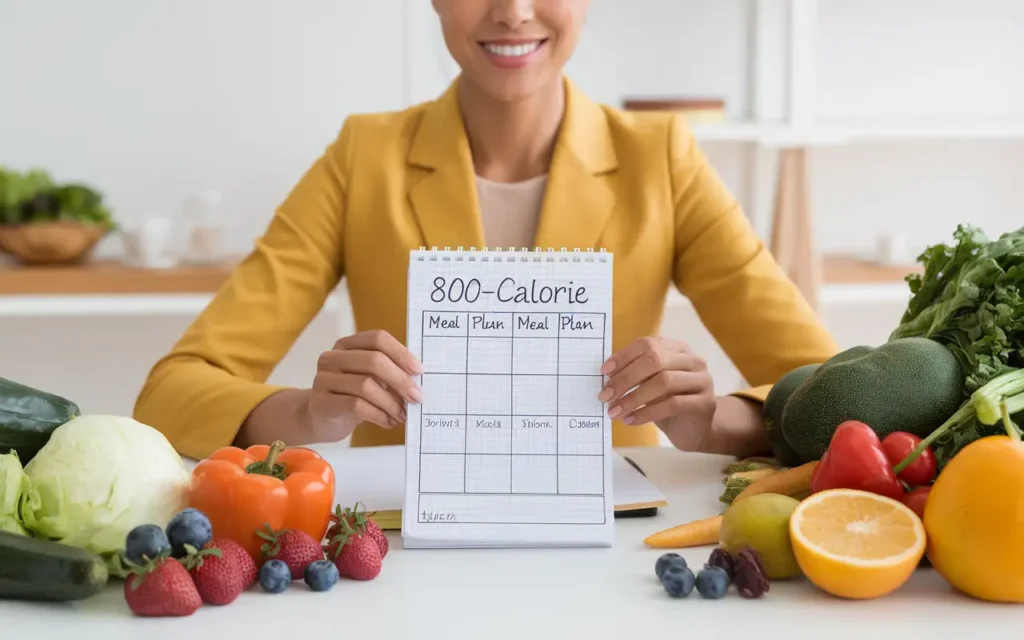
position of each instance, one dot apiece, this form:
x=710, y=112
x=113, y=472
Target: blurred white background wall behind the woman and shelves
x=155, y=101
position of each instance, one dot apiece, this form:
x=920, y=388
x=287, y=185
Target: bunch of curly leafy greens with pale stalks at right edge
x=971, y=298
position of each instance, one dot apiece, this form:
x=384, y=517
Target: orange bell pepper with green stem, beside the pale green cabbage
x=244, y=491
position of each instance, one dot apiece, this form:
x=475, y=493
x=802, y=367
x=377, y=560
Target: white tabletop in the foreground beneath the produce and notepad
x=532, y=594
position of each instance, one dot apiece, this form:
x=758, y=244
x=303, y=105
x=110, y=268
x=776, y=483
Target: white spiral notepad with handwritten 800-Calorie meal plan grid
x=510, y=446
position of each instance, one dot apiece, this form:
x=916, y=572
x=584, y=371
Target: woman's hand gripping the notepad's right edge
x=673, y=390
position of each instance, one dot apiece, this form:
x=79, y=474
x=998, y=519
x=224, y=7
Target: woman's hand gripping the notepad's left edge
x=365, y=378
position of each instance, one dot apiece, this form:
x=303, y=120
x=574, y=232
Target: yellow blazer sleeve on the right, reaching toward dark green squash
x=746, y=301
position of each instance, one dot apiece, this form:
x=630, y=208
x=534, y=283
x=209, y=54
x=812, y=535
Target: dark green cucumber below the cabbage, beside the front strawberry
x=32, y=569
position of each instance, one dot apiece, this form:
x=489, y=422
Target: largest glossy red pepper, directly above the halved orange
x=856, y=460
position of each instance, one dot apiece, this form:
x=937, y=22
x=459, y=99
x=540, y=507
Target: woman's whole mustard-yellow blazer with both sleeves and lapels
x=634, y=184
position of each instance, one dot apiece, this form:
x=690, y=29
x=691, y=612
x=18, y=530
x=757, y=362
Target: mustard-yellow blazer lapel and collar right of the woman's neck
x=579, y=198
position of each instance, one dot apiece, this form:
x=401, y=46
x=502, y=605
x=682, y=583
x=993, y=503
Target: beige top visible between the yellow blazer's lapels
x=510, y=211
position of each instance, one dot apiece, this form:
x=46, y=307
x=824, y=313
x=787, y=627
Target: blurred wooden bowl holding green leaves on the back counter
x=51, y=243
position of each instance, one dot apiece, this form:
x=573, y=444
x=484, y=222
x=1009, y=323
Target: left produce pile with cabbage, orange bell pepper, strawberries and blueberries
x=88, y=498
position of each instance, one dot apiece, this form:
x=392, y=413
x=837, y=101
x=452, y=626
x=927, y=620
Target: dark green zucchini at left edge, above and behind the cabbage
x=28, y=417
